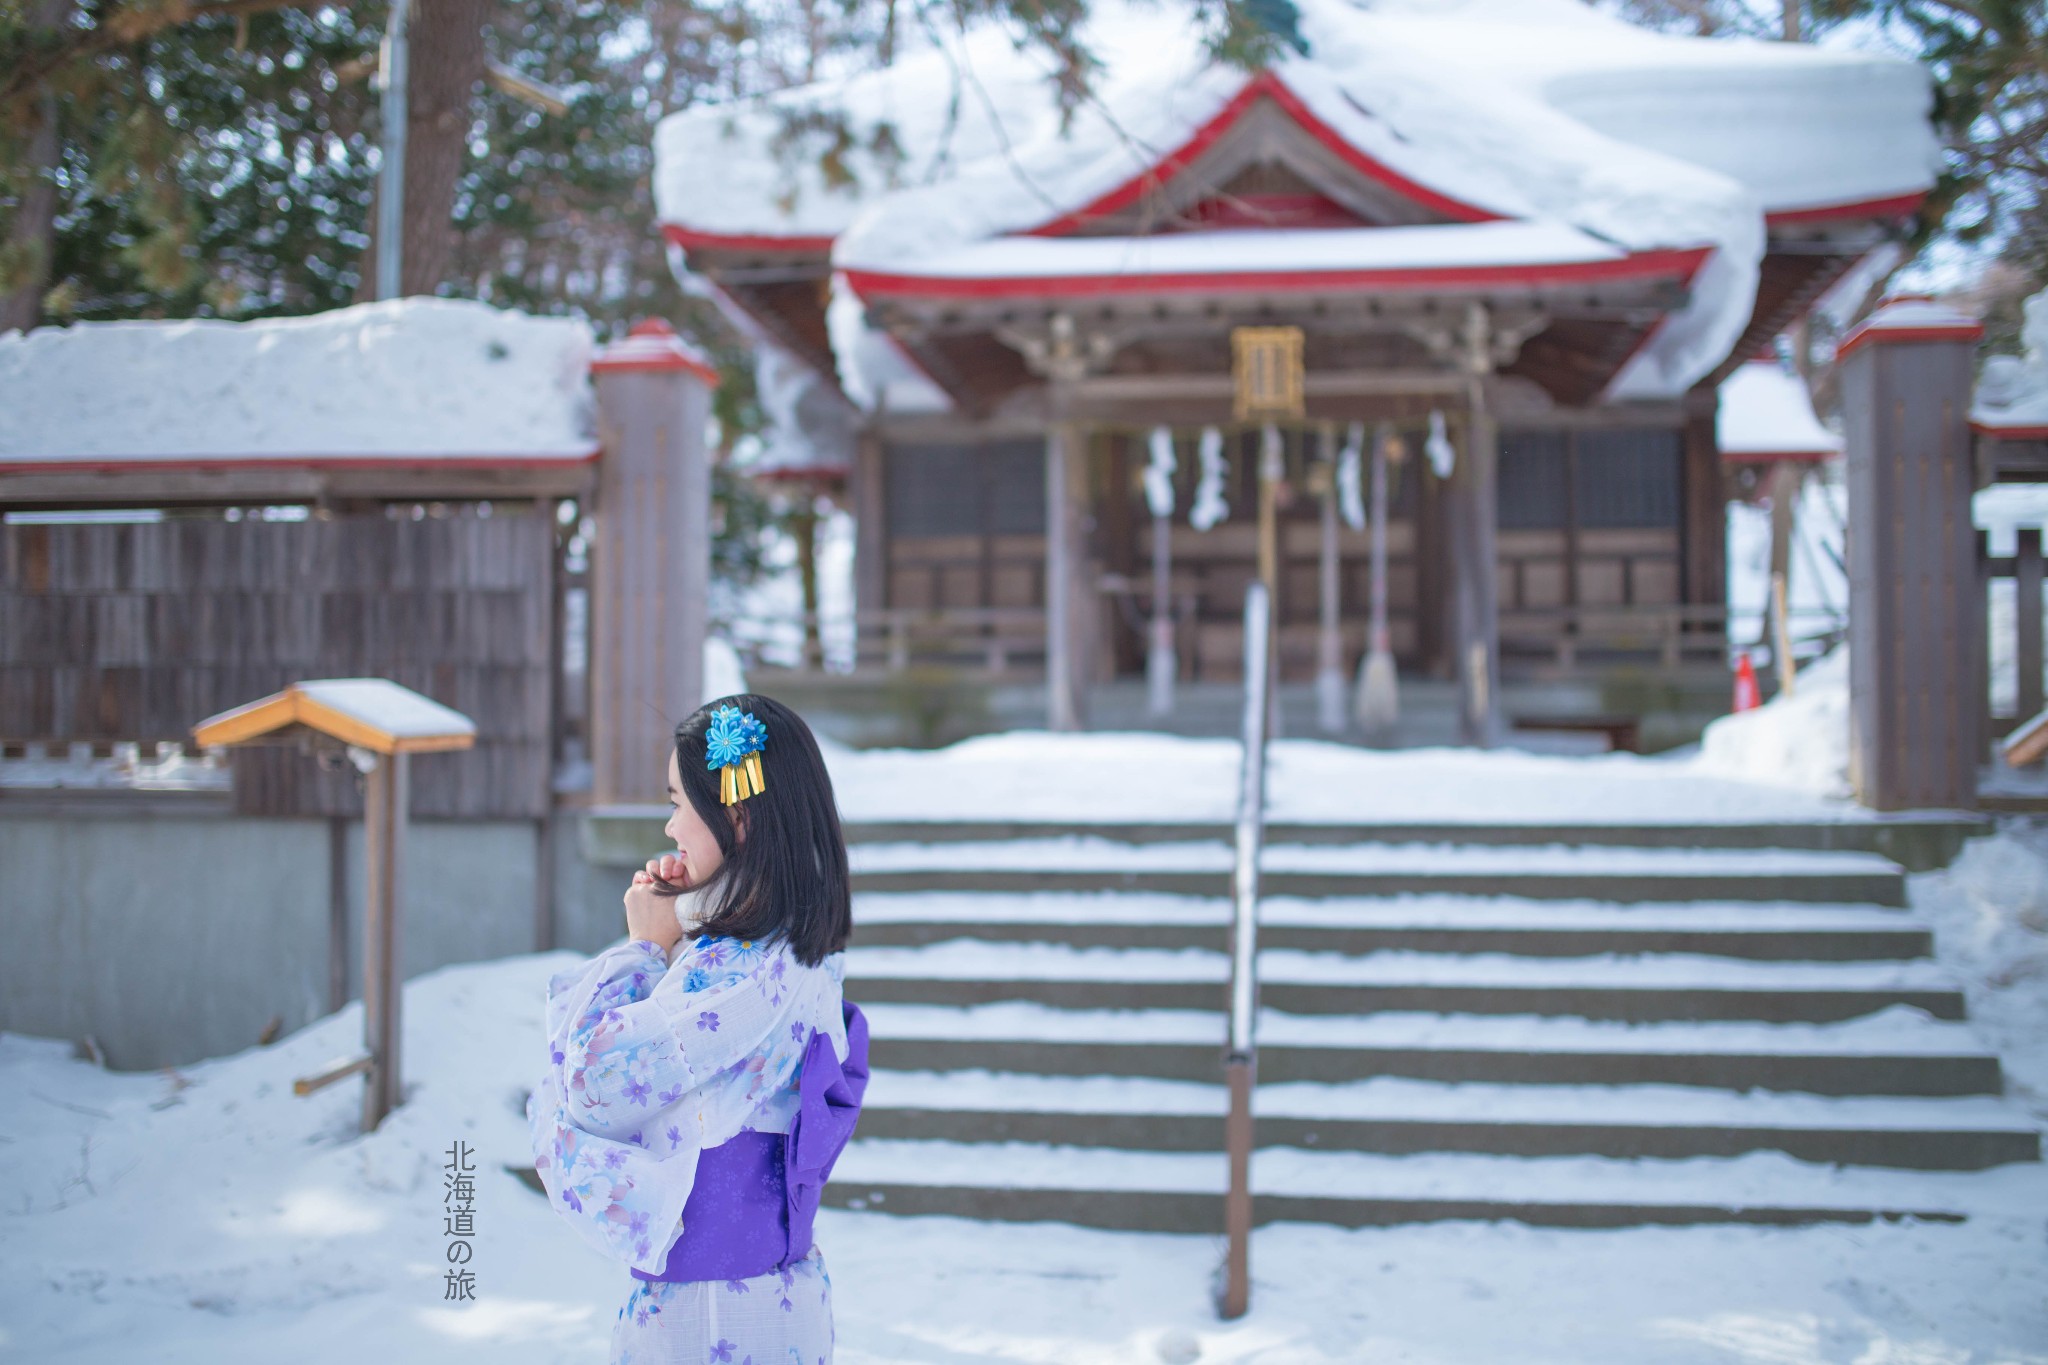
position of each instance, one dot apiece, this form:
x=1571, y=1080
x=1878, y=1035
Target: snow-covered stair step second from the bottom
x=1392, y=1114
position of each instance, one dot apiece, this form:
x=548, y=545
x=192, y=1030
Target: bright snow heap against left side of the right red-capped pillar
x=1799, y=742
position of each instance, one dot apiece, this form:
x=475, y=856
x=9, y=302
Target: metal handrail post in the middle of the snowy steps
x=1240, y=1059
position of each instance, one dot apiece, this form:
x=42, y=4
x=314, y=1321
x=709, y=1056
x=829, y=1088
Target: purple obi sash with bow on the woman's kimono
x=757, y=1196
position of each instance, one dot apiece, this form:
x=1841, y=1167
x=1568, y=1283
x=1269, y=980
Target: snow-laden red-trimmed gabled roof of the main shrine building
x=1420, y=146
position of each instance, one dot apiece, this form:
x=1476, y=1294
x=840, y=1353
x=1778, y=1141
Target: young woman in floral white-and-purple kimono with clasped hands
x=706, y=1073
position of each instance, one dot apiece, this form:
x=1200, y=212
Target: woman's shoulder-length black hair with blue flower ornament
x=790, y=873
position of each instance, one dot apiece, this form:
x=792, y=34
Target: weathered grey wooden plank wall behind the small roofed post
x=138, y=631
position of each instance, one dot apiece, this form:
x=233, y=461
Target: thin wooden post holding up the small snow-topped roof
x=386, y=795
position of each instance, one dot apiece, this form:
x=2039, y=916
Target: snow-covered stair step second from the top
x=1385, y=869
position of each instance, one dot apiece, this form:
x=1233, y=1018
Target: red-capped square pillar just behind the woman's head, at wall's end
x=650, y=574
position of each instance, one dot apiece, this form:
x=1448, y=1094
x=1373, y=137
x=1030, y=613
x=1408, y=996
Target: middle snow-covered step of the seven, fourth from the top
x=1601, y=987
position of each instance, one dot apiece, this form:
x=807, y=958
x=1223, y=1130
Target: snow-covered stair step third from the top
x=1809, y=932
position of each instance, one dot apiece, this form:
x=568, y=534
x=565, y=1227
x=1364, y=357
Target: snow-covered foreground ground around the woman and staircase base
x=218, y=1217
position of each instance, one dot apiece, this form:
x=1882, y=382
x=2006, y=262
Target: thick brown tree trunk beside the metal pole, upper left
x=443, y=69
